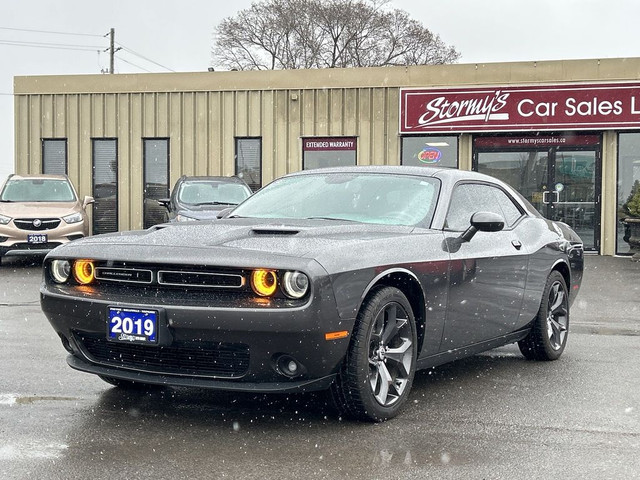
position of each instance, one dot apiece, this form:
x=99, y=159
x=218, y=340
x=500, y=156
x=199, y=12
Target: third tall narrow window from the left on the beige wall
x=156, y=179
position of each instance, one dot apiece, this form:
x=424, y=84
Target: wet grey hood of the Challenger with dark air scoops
x=234, y=241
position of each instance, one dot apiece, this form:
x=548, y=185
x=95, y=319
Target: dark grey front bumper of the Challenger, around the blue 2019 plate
x=238, y=349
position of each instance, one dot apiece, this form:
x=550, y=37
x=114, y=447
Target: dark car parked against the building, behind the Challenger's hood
x=202, y=198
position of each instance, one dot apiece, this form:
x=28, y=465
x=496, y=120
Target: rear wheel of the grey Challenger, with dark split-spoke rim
x=548, y=336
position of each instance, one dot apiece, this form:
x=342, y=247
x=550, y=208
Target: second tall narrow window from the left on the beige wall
x=105, y=185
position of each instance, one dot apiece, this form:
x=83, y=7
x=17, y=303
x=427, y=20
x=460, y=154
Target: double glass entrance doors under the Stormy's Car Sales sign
x=561, y=181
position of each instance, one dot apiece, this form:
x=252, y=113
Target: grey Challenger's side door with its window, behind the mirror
x=488, y=273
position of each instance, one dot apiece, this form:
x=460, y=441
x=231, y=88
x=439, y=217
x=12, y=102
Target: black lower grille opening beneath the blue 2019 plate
x=222, y=360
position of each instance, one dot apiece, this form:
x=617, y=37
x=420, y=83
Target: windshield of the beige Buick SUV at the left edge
x=37, y=190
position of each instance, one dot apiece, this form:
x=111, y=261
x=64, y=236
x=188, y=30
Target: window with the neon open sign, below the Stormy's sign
x=424, y=151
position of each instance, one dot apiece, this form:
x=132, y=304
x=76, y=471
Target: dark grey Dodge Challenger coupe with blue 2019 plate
x=346, y=279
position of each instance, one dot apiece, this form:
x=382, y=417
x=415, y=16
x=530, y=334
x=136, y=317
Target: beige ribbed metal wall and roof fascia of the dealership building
x=203, y=112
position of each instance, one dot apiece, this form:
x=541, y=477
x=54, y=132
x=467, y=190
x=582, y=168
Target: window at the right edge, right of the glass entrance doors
x=628, y=183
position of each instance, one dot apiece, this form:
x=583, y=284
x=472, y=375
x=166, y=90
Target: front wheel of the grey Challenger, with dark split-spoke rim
x=380, y=364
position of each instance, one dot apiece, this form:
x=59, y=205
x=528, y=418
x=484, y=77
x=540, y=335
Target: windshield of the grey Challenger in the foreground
x=360, y=197
